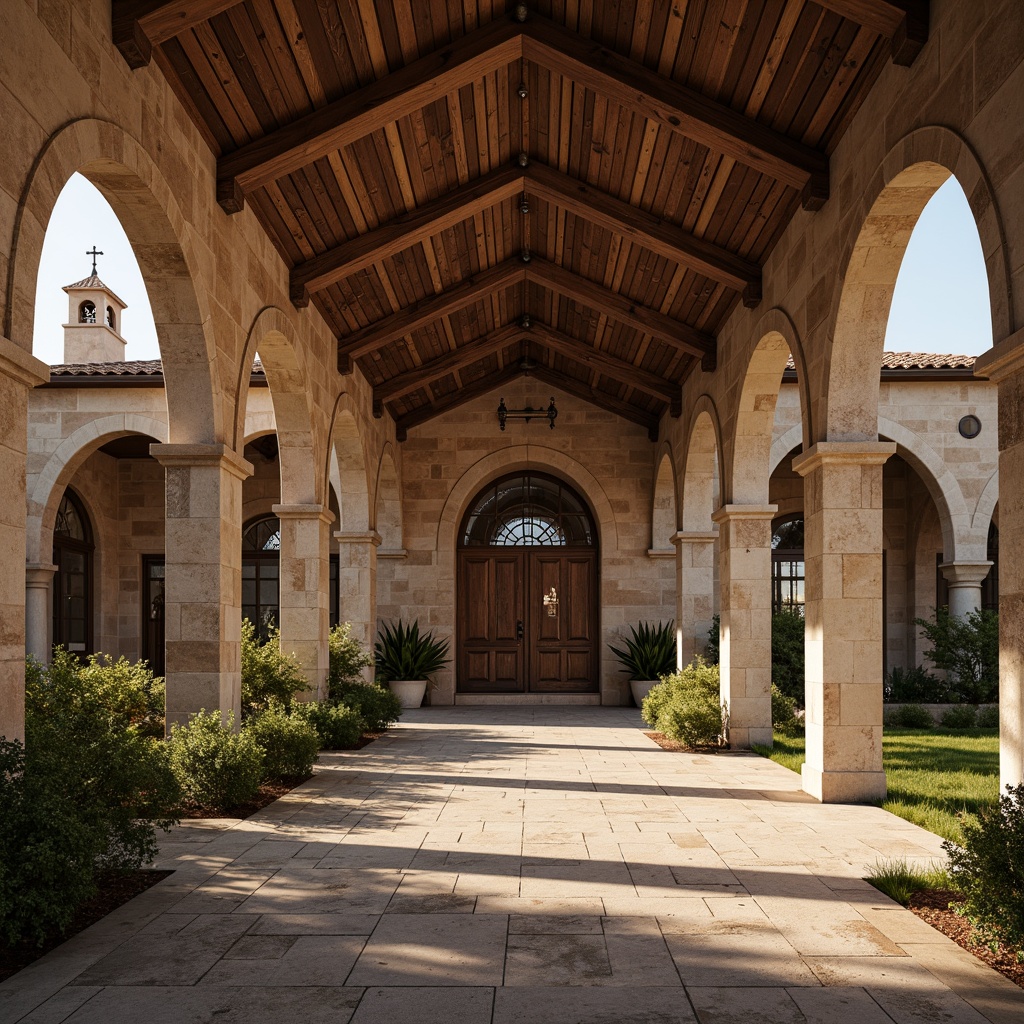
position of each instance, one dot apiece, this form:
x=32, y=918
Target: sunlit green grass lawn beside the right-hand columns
x=933, y=775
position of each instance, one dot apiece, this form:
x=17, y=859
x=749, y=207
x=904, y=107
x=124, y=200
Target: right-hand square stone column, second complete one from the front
x=745, y=648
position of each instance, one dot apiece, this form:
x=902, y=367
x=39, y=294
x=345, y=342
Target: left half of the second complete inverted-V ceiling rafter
x=343, y=262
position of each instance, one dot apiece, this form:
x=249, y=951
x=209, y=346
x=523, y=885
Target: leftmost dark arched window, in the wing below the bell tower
x=73, y=549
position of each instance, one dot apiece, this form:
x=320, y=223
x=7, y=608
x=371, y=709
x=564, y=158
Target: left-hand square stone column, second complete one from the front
x=306, y=581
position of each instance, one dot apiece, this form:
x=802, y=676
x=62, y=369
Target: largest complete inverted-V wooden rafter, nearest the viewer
x=484, y=51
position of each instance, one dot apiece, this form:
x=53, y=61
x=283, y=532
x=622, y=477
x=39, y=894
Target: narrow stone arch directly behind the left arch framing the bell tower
x=290, y=395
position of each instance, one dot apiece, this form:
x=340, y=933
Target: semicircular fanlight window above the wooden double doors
x=528, y=510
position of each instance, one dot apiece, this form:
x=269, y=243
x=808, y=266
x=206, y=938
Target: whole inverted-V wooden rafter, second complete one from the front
x=578, y=197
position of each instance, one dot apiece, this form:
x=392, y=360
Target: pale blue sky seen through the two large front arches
x=941, y=305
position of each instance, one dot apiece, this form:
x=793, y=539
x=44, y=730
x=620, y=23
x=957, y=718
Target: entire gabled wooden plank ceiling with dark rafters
x=465, y=189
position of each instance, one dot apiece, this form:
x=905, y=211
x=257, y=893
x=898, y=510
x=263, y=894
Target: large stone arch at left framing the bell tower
x=120, y=167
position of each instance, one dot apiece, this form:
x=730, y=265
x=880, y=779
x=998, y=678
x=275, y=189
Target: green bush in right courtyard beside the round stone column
x=968, y=650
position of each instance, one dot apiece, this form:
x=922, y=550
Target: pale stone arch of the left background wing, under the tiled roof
x=65, y=462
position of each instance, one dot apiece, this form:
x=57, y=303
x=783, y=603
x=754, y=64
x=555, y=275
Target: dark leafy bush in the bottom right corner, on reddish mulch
x=989, y=869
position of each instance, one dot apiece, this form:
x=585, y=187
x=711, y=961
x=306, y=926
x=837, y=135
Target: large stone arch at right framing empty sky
x=907, y=180
